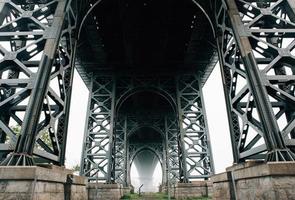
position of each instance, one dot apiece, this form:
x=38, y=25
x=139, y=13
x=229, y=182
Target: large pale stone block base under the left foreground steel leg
x=40, y=183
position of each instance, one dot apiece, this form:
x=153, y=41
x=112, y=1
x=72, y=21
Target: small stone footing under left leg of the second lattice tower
x=102, y=191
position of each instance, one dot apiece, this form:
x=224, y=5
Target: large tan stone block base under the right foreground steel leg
x=259, y=181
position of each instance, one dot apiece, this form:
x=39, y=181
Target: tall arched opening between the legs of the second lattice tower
x=145, y=137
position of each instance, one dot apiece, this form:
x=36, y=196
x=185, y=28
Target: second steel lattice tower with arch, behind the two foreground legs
x=107, y=150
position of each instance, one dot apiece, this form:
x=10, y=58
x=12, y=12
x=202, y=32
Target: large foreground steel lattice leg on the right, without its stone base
x=256, y=47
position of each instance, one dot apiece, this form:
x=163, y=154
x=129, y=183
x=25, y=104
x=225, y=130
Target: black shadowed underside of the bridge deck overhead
x=147, y=37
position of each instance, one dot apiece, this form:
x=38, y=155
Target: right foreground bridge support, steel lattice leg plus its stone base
x=257, y=64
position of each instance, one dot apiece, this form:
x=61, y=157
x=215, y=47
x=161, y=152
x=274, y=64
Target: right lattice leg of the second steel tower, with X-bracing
x=194, y=137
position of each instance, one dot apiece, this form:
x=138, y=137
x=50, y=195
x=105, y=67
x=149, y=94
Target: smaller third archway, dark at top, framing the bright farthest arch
x=146, y=149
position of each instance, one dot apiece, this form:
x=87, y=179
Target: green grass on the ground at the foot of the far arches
x=157, y=196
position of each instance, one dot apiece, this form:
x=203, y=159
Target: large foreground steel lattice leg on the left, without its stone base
x=36, y=68
